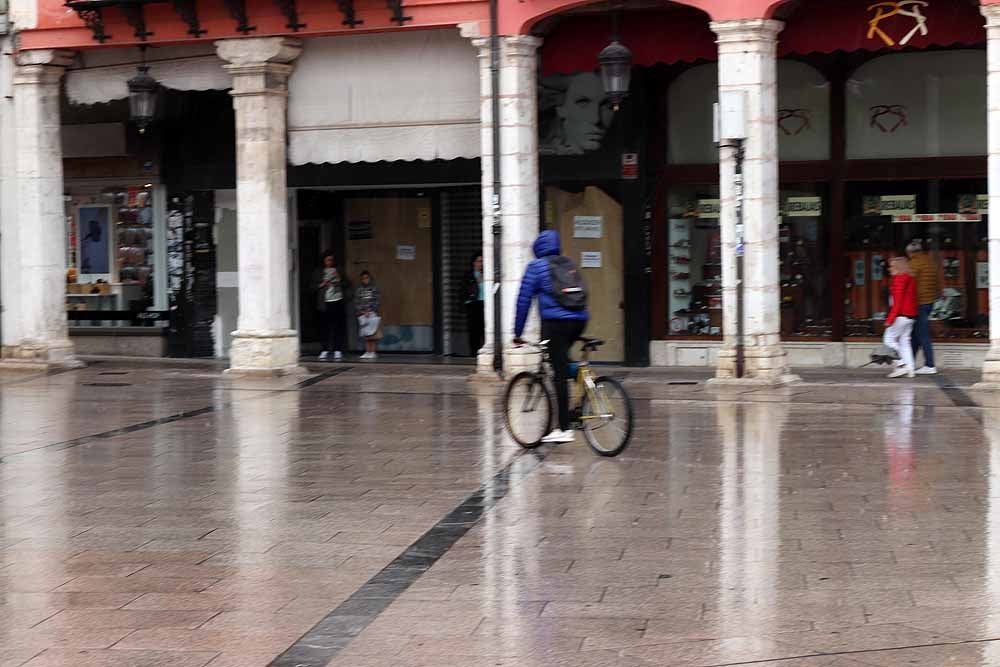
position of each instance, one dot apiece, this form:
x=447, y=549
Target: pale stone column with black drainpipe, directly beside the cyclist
x=519, y=187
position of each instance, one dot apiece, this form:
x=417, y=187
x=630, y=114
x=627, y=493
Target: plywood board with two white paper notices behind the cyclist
x=590, y=226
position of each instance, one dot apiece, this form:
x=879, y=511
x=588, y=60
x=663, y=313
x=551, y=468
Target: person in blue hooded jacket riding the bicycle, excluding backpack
x=561, y=325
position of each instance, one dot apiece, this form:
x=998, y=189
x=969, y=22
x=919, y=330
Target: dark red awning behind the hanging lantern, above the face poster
x=674, y=34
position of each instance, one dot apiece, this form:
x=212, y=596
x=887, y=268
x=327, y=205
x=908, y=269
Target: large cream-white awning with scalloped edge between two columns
x=388, y=96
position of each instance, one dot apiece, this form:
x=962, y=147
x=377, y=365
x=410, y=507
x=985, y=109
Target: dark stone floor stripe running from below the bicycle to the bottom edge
x=338, y=629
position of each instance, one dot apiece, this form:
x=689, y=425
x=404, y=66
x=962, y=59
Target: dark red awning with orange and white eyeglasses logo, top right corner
x=821, y=26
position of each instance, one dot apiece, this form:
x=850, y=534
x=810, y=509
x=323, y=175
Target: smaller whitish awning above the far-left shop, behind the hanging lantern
x=104, y=75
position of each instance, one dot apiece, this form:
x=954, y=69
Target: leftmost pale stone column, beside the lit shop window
x=34, y=228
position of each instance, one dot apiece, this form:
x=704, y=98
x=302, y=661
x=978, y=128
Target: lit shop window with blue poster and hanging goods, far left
x=111, y=254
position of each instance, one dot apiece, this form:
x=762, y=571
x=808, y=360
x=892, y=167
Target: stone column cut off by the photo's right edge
x=991, y=366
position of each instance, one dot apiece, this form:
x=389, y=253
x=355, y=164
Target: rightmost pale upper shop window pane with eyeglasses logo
x=918, y=105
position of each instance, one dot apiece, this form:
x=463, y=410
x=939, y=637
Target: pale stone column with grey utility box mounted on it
x=747, y=63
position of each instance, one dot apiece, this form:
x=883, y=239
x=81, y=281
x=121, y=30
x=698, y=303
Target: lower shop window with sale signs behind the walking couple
x=949, y=218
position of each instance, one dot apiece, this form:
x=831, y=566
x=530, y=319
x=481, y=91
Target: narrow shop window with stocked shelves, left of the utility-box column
x=694, y=262
